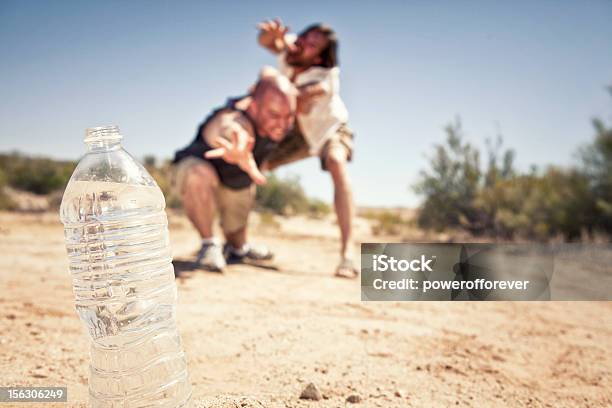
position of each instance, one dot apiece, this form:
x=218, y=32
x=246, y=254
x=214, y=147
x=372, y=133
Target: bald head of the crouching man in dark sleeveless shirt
x=273, y=105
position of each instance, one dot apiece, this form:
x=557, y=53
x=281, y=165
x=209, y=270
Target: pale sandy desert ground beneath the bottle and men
x=256, y=337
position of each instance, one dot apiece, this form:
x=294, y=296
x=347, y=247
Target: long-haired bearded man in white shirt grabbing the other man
x=310, y=61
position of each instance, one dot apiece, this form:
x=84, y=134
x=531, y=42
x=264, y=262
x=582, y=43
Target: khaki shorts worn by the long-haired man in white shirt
x=294, y=147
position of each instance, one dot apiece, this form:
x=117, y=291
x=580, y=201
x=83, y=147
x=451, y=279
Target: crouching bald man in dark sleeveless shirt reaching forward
x=217, y=171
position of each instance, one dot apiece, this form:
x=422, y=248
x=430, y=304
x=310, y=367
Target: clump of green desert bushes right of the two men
x=538, y=205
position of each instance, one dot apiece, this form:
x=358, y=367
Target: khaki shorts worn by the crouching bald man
x=232, y=205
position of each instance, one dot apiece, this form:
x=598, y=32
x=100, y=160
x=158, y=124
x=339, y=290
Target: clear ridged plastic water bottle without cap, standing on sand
x=116, y=234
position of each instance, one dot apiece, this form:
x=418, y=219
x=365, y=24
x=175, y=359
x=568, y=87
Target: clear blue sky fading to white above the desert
x=536, y=72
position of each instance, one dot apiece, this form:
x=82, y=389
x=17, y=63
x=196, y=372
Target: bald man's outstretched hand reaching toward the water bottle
x=238, y=152
